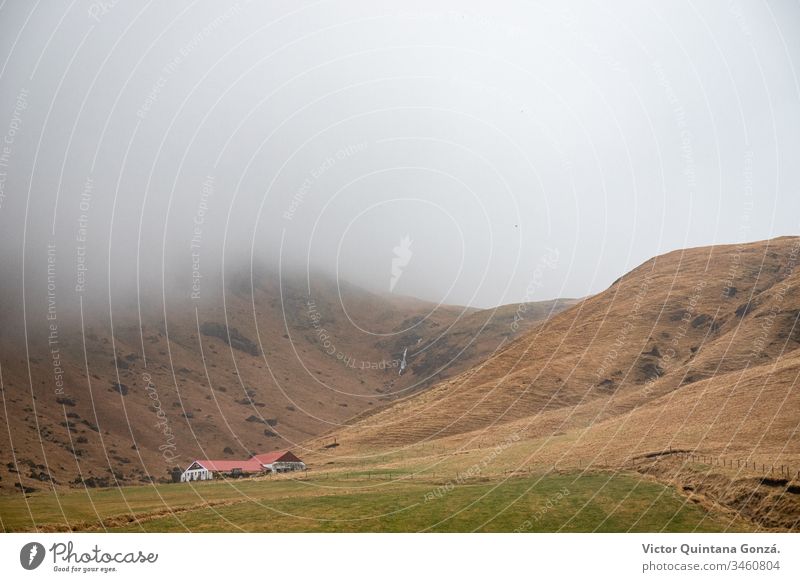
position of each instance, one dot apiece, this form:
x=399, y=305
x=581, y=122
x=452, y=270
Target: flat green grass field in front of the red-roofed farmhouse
x=556, y=502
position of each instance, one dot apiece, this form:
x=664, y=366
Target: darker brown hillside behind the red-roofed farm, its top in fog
x=257, y=371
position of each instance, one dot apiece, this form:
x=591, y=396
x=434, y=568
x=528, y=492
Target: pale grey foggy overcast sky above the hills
x=487, y=152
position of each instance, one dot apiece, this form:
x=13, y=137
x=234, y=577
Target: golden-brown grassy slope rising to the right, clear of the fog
x=685, y=371
